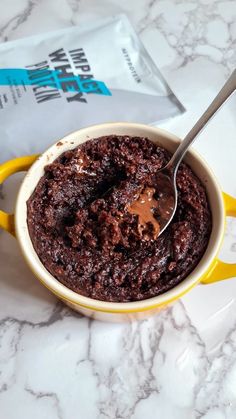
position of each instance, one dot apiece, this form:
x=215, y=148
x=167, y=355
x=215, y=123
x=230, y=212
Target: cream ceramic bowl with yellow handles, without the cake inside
x=209, y=269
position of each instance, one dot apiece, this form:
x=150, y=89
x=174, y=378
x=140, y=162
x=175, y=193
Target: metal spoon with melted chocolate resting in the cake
x=165, y=179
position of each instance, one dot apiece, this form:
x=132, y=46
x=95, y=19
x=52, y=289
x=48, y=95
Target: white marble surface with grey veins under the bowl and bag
x=181, y=363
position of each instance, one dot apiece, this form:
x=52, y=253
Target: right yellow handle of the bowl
x=221, y=270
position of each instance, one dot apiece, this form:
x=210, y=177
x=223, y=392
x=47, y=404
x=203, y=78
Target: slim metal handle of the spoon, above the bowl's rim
x=226, y=91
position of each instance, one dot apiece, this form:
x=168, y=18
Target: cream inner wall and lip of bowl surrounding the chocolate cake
x=163, y=138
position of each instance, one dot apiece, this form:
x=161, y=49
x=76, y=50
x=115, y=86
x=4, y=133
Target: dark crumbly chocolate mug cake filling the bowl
x=85, y=236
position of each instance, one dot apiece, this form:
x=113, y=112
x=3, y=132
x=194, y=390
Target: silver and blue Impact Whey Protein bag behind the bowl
x=54, y=83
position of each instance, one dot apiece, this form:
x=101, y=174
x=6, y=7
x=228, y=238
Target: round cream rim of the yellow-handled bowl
x=66, y=293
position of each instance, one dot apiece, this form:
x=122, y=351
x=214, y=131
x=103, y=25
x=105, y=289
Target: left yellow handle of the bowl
x=20, y=164
